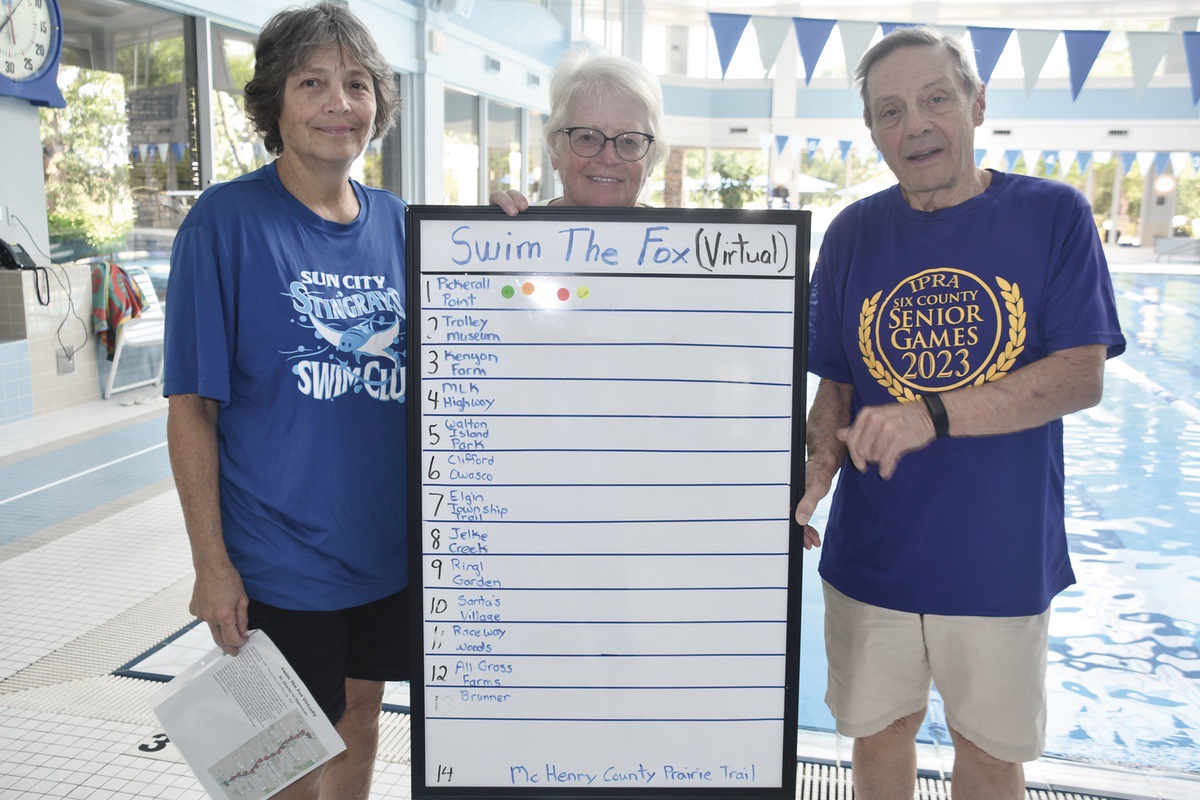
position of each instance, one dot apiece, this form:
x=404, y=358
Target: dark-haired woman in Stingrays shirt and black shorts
x=285, y=371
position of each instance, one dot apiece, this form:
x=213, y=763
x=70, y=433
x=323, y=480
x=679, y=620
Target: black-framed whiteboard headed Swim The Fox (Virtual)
x=607, y=436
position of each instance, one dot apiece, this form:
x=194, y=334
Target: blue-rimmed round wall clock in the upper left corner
x=31, y=49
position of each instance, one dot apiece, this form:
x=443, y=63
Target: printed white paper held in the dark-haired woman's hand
x=245, y=724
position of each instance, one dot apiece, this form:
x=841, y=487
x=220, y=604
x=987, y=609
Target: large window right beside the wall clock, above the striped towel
x=121, y=159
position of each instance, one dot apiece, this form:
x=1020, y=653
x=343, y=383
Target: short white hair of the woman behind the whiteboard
x=583, y=73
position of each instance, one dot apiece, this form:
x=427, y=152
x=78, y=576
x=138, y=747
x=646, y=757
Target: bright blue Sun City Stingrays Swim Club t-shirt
x=296, y=326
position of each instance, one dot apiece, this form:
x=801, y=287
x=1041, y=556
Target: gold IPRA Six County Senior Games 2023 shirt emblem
x=941, y=329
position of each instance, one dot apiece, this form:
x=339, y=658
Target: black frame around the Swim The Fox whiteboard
x=415, y=216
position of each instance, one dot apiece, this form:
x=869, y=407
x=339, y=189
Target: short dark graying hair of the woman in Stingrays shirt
x=285, y=46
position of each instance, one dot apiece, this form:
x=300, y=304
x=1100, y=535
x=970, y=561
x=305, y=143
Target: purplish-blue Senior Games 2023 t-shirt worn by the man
x=907, y=303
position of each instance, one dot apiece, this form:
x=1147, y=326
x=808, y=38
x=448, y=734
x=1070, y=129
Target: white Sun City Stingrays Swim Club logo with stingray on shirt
x=359, y=335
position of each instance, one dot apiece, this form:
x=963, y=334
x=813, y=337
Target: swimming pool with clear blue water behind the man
x=1124, y=678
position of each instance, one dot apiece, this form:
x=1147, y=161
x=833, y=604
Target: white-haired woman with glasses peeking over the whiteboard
x=598, y=100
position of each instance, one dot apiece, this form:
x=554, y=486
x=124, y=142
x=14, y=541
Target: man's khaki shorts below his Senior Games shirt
x=991, y=672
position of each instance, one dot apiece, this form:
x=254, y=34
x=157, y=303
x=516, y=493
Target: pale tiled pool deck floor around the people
x=95, y=570
